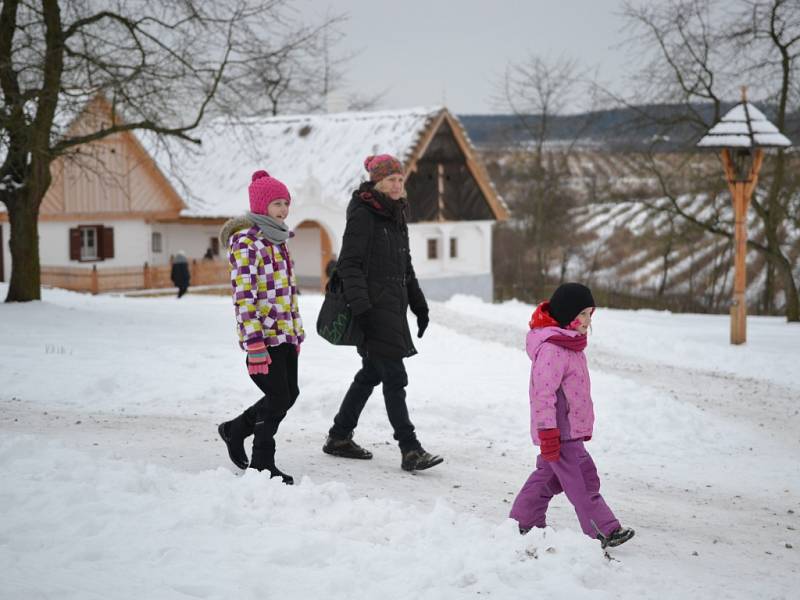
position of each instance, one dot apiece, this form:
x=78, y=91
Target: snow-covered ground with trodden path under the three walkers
x=114, y=484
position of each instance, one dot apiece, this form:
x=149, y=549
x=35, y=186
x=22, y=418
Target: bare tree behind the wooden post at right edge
x=698, y=52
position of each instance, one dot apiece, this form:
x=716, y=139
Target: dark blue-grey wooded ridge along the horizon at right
x=623, y=128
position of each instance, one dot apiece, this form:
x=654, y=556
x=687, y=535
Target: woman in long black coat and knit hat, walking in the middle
x=380, y=285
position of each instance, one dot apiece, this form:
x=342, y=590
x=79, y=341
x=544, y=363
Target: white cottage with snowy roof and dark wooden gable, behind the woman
x=452, y=207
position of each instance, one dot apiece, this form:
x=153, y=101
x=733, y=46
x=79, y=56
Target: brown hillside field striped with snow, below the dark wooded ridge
x=622, y=235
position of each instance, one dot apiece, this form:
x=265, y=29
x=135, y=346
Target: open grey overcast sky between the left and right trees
x=453, y=52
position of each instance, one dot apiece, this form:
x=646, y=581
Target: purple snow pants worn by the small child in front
x=575, y=474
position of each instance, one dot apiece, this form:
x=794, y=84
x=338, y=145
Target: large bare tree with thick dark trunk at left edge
x=160, y=66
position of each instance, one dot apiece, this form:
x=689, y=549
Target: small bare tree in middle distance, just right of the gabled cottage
x=536, y=178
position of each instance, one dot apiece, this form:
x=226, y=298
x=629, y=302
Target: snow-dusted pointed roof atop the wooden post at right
x=744, y=126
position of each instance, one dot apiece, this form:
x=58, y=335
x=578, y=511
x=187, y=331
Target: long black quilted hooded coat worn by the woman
x=375, y=268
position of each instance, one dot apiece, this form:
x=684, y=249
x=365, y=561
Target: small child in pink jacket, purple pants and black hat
x=562, y=417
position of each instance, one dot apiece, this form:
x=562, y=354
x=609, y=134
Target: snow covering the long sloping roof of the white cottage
x=307, y=152
